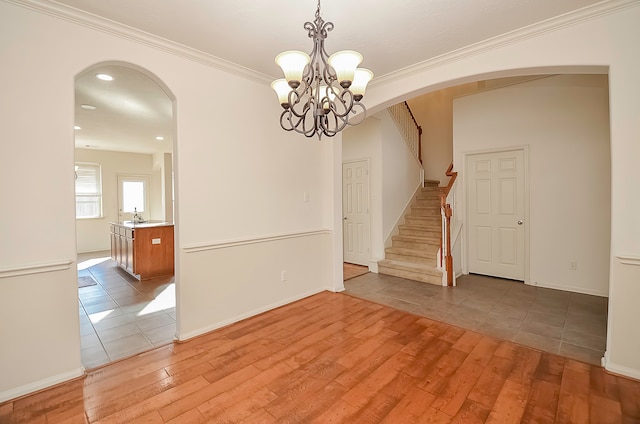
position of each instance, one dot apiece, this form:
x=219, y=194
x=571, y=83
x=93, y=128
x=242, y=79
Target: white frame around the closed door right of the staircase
x=465, y=184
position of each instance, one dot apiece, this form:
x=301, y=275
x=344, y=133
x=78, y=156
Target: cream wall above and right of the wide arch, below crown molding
x=602, y=38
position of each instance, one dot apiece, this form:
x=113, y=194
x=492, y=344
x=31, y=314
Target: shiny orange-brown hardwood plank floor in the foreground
x=333, y=358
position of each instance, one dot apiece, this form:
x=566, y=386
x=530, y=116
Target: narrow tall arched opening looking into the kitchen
x=124, y=150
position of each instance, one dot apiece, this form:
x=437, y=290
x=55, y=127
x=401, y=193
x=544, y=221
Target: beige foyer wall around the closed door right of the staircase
x=564, y=120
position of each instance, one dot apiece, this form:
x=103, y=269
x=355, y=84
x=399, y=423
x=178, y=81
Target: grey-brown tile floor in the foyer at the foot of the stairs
x=570, y=324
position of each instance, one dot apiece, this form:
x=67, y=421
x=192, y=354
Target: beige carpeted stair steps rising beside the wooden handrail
x=413, y=252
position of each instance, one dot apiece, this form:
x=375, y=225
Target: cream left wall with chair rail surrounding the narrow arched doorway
x=239, y=192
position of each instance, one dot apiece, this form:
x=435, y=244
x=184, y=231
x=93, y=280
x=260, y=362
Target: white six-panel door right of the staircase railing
x=496, y=214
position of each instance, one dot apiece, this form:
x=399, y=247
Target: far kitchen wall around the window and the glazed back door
x=93, y=234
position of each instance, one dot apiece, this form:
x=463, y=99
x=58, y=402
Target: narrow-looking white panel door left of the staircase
x=355, y=207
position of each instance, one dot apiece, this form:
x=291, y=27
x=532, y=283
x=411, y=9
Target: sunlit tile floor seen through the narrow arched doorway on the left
x=121, y=316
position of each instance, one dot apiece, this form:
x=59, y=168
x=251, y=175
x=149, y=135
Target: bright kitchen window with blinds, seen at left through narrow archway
x=88, y=191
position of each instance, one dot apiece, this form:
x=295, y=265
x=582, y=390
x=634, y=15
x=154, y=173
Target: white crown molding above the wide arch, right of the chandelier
x=549, y=25
